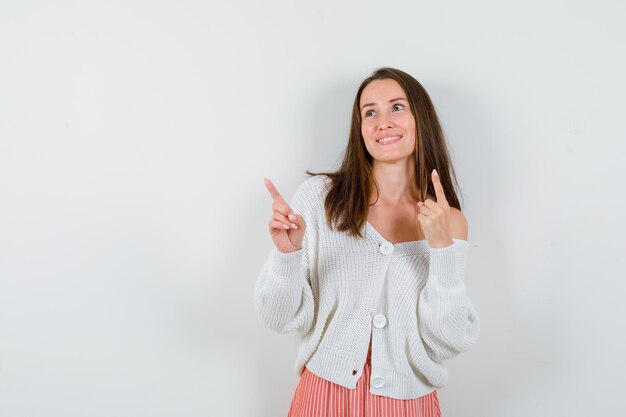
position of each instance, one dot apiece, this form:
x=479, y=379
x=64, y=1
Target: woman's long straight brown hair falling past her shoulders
x=349, y=192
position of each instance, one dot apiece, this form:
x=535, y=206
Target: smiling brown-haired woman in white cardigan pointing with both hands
x=369, y=262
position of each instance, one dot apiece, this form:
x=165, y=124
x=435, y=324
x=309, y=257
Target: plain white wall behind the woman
x=134, y=138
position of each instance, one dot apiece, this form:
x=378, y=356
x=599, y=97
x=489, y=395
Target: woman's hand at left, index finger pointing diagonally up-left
x=286, y=227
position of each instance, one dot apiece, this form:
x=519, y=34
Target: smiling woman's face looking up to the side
x=387, y=124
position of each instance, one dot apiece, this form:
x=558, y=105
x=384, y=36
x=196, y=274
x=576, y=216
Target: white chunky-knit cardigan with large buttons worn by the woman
x=330, y=290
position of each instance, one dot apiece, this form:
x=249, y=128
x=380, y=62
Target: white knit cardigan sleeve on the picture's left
x=283, y=297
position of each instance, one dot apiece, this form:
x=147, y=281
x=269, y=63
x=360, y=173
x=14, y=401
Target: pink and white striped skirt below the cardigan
x=317, y=397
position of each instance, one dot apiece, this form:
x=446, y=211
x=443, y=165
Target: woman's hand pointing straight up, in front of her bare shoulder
x=435, y=217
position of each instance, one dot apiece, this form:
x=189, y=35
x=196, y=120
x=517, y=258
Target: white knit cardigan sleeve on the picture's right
x=448, y=322
